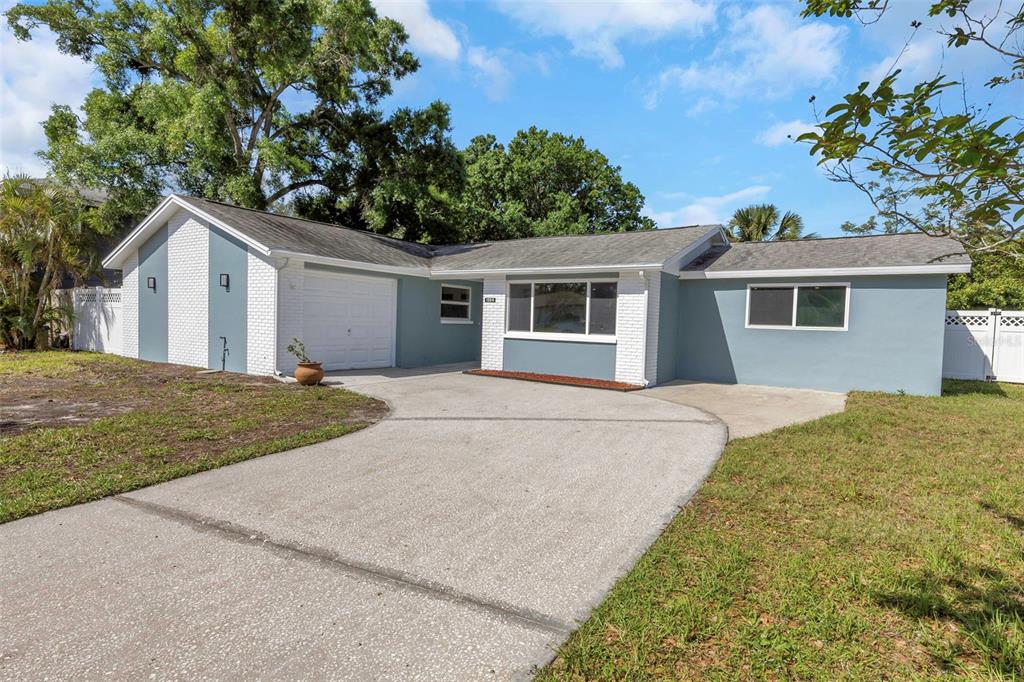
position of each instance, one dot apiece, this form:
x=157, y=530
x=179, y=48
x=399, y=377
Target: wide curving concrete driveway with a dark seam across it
x=462, y=538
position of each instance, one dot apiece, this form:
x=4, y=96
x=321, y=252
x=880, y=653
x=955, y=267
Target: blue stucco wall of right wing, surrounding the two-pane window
x=894, y=342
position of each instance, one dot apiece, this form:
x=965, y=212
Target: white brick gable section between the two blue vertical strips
x=188, y=291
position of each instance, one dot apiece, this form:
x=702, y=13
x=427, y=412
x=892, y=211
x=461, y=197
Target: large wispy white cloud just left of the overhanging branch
x=767, y=52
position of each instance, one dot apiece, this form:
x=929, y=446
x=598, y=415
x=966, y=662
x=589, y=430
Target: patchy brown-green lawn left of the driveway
x=76, y=428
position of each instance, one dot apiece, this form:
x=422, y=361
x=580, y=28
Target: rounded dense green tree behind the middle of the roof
x=544, y=184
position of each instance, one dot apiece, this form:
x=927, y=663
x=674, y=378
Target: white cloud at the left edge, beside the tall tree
x=34, y=77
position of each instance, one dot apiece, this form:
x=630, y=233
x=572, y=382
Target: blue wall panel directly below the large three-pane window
x=568, y=359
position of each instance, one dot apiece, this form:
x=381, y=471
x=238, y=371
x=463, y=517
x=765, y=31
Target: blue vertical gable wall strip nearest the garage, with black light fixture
x=228, y=307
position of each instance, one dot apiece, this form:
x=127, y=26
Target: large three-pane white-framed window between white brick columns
x=552, y=309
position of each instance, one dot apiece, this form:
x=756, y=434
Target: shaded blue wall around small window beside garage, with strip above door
x=421, y=338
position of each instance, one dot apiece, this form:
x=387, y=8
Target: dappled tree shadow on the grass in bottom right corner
x=986, y=604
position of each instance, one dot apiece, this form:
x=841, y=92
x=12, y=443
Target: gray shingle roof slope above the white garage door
x=280, y=233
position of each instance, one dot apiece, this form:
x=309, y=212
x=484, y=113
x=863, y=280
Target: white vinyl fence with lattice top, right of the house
x=985, y=345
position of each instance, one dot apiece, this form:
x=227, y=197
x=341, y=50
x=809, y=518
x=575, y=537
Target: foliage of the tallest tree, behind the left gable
x=194, y=99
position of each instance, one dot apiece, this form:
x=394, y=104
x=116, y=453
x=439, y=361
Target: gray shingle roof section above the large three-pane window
x=572, y=251
